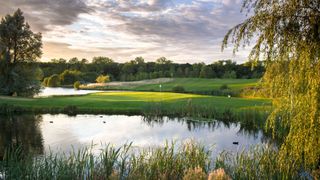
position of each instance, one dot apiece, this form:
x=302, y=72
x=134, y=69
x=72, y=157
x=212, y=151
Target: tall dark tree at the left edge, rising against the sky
x=18, y=46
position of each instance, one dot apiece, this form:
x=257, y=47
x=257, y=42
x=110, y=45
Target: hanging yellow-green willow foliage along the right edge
x=287, y=34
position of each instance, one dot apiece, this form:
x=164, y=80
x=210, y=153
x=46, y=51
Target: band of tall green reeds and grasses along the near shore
x=188, y=161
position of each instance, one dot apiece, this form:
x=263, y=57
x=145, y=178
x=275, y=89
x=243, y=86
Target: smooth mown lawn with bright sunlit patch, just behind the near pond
x=133, y=101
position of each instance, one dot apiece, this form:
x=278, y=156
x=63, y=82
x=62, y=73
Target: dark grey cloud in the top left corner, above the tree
x=41, y=13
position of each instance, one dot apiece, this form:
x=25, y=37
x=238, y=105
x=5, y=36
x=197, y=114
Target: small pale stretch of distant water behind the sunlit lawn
x=50, y=91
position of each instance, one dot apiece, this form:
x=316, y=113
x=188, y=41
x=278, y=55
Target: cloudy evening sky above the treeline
x=185, y=31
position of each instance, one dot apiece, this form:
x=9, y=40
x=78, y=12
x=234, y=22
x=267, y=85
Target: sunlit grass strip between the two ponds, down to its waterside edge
x=131, y=102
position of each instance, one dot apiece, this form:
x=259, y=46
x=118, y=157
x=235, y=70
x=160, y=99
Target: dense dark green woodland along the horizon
x=137, y=69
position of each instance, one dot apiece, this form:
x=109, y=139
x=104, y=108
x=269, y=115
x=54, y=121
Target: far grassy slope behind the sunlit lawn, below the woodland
x=190, y=85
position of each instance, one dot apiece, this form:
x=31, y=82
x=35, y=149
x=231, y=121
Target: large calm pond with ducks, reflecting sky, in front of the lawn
x=39, y=133
